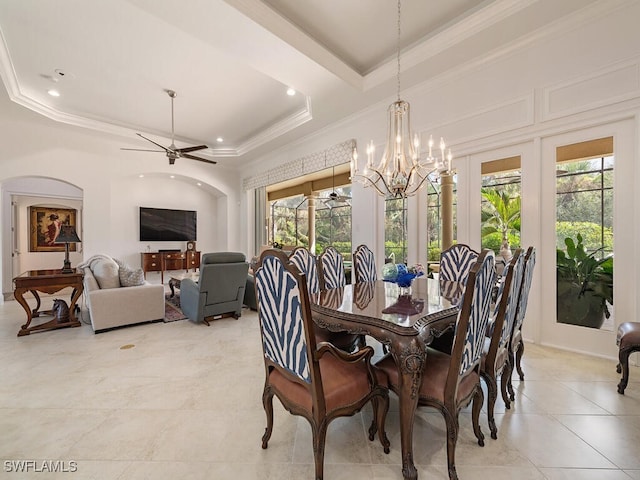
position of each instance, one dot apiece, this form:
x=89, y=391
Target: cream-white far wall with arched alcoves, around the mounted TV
x=92, y=162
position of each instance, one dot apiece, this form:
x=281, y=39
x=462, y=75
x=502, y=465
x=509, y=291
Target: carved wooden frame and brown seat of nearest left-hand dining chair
x=309, y=398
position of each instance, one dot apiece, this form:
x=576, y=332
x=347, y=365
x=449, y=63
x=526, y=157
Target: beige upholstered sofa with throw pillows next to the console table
x=117, y=295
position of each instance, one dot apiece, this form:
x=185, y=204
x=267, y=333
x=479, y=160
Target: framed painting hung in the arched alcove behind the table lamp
x=44, y=227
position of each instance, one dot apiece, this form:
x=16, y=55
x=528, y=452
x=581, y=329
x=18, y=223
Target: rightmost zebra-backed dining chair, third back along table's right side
x=516, y=345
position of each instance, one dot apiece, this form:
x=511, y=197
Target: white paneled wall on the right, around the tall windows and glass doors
x=582, y=75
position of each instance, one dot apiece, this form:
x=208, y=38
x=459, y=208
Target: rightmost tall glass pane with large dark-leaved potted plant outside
x=584, y=234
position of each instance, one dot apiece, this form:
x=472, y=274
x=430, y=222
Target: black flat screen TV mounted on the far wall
x=166, y=225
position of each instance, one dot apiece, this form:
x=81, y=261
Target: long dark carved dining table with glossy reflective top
x=406, y=323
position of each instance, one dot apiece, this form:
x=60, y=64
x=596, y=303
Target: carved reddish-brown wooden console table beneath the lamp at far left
x=47, y=281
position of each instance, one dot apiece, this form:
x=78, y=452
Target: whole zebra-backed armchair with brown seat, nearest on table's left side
x=316, y=381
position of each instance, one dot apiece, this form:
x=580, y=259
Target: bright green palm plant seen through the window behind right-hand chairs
x=501, y=215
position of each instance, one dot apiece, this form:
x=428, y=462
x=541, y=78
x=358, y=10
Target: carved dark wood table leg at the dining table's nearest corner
x=410, y=358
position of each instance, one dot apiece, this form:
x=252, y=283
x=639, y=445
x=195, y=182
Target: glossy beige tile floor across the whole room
x=185, y=402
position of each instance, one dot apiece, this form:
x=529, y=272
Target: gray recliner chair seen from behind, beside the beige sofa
x=220, y=289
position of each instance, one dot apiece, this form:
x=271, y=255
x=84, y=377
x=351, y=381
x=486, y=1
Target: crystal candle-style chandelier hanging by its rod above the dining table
x=401, y=170
